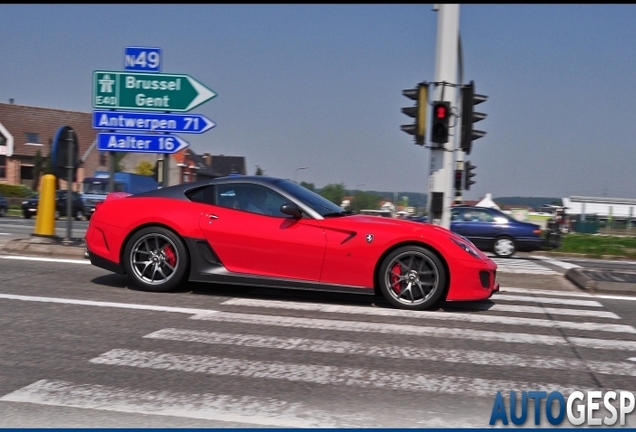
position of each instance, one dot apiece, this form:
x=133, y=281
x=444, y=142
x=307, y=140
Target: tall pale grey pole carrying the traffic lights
x=441, y=192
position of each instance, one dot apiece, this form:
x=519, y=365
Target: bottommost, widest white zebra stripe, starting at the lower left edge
x=229, y=408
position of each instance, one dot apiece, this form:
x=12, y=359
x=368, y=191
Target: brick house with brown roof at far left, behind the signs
x=25, y=130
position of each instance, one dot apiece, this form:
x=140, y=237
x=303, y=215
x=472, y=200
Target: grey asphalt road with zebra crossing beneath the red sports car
x=79, y=348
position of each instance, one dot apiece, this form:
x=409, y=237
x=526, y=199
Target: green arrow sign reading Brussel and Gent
x=148, y=91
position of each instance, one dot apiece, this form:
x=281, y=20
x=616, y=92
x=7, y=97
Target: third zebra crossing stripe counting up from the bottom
x=390, y=351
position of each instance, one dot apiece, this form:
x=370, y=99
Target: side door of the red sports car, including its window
x=273, y=244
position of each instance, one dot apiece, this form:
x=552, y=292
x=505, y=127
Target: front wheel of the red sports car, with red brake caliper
x=412, y=277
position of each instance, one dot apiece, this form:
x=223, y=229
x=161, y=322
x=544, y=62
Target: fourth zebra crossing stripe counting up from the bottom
x=413, y=330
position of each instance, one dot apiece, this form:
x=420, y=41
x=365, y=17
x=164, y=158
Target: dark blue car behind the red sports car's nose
x=491, y=230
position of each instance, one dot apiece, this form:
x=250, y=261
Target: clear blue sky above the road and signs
x=321, y=85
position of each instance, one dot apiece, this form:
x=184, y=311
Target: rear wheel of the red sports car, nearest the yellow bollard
x=155, y=259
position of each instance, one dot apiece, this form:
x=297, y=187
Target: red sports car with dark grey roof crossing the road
x=264, y=231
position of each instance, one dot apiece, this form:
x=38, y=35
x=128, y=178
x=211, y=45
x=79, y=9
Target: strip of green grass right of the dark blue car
x=597, y=245
